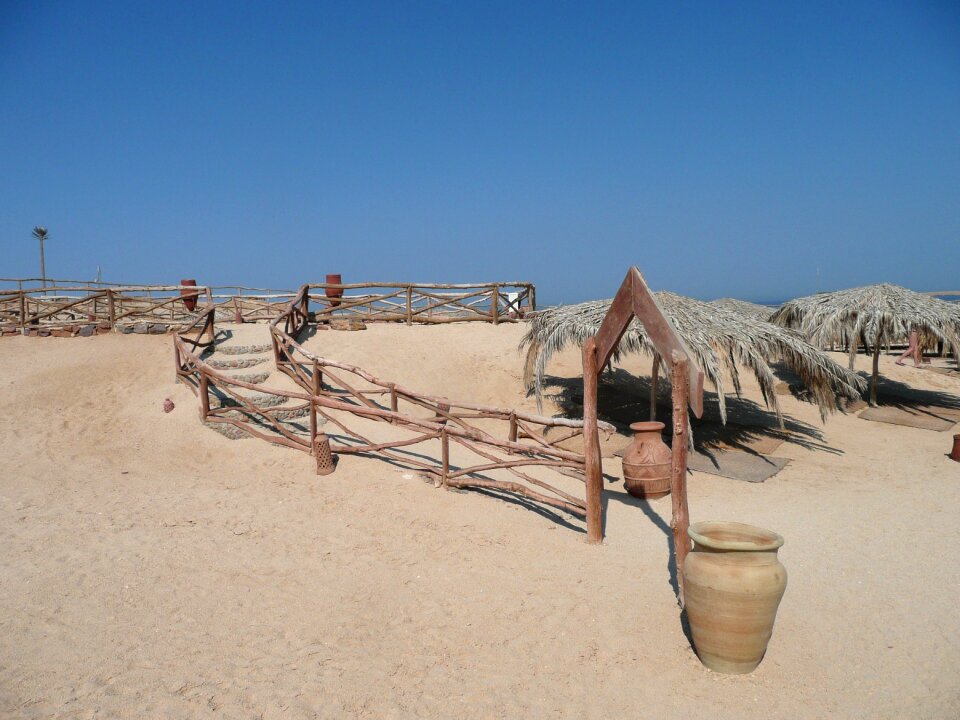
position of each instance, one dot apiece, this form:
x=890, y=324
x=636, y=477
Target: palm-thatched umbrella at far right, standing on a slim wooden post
x=873, y=316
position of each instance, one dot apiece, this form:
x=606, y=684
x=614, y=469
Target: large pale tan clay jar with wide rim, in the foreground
x=733, y=583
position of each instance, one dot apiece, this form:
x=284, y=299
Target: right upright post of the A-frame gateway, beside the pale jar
x=678, y=476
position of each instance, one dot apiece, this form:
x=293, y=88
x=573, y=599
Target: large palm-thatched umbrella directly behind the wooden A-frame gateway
x=721, y=342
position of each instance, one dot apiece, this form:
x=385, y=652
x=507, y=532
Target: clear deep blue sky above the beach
x=725, y=148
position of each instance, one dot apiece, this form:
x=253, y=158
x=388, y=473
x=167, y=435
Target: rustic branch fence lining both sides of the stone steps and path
x=460, y=444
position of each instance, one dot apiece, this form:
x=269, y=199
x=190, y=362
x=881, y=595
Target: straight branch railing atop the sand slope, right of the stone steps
x=424, y=303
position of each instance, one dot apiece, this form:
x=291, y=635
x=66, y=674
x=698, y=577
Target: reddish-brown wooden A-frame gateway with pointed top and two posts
x=634, y=299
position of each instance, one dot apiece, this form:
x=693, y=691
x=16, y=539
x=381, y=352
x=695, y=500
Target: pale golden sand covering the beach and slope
x=150, y=567
